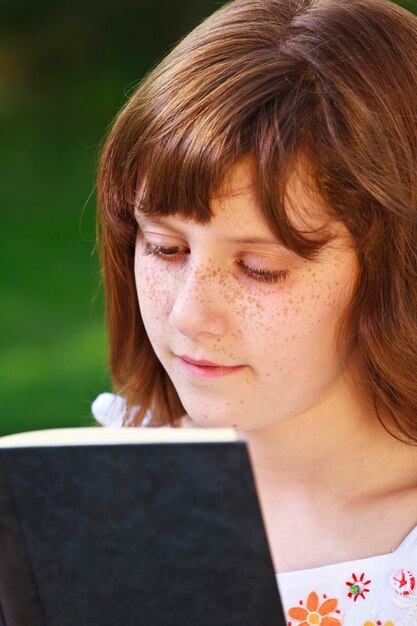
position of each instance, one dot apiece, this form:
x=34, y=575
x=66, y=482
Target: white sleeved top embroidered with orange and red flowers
x=375, y=591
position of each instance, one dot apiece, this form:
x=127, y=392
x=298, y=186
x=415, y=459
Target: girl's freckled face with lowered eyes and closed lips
x=230, y=294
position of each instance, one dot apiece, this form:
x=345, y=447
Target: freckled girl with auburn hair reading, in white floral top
x=257, y=201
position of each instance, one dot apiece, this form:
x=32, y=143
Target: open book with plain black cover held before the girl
x=132, y=527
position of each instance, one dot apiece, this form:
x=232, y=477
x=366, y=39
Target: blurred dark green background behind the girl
x=65, y=70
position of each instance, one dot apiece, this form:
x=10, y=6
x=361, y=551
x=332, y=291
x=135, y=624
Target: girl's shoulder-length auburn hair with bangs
x=332, y=82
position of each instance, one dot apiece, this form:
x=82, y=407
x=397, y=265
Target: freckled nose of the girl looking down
x=199, y=305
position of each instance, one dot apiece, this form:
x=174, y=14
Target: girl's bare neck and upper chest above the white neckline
x=335, y=459
